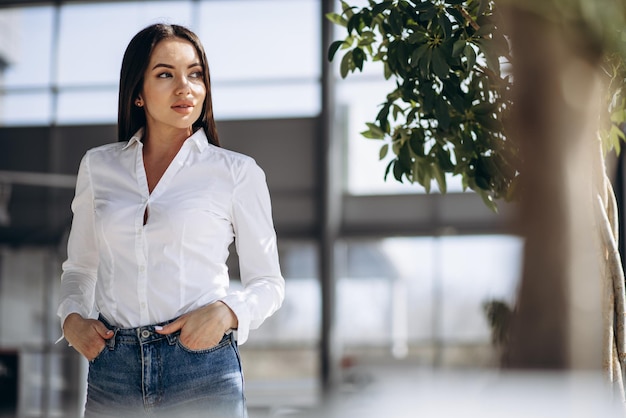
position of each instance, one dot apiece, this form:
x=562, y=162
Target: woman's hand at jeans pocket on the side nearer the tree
x=203, y=328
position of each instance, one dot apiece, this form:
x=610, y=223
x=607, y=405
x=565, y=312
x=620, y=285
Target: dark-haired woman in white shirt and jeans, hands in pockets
x=154, y=215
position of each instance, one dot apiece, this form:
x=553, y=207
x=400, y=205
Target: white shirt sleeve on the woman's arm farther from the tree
x=78, y=279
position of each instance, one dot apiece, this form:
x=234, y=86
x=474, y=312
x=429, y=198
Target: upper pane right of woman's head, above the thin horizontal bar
x=247, y=40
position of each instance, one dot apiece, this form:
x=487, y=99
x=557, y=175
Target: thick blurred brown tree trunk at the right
x=558, y=321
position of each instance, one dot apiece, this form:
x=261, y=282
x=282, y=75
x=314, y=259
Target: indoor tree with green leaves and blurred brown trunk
x=529, y=112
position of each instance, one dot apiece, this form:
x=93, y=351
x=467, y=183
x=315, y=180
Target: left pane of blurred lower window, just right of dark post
x=384, y=292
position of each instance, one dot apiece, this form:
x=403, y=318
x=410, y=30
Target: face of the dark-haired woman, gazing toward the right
x=173, y=90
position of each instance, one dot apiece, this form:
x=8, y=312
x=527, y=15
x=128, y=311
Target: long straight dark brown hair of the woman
x=134, y=64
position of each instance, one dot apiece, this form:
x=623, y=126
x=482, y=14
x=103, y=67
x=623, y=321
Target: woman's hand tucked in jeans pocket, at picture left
x=87, y=336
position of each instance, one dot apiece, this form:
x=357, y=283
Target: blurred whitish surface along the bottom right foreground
x=402, y=391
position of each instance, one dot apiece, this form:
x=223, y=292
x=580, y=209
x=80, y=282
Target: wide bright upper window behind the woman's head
x=66, y=70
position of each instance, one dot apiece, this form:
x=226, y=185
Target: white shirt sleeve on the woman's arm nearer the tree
x=255, y=240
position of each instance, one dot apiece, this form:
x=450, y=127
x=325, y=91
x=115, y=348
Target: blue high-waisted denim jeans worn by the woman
x=144, y=374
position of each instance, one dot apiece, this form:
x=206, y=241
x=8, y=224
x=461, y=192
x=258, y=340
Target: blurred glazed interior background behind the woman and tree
x=379, y=275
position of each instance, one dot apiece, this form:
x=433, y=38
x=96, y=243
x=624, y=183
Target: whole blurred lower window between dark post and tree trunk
x=423, y=296
